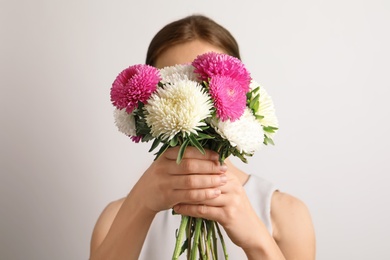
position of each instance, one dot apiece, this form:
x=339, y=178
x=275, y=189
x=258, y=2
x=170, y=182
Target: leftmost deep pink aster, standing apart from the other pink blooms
x=134, y=84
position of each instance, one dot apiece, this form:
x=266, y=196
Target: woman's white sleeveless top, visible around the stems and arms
x=160, y=240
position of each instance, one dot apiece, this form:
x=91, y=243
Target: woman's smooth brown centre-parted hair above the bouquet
x=193, y=27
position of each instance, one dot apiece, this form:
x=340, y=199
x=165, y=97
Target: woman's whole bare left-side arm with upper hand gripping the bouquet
x=122, y=227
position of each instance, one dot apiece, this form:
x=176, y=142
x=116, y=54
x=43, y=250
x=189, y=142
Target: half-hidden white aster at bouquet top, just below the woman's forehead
x=177, y=72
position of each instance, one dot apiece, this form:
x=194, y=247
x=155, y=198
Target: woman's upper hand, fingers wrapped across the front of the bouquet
x=165, y=183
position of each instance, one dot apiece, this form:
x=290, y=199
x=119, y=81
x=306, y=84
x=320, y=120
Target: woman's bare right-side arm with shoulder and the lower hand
x=293, y=236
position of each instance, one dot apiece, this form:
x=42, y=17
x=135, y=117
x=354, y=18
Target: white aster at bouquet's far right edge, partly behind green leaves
x=266, y=108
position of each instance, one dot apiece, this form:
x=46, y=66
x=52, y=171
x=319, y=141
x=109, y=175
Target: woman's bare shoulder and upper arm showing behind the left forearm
x=104, y=222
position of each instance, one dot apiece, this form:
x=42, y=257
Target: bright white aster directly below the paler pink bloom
x=246, y=133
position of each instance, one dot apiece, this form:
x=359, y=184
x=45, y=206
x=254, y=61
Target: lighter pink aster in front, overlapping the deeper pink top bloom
x=229, y=98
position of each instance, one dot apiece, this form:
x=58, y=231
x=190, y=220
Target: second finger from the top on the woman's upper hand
x=198, y=181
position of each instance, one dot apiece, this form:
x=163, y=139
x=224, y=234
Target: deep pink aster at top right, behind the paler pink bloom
x=212, y=64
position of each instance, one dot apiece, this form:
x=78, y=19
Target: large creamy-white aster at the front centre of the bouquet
x=179, y=107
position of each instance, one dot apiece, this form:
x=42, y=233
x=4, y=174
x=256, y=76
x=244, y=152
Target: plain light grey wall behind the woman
x=325, y=63
